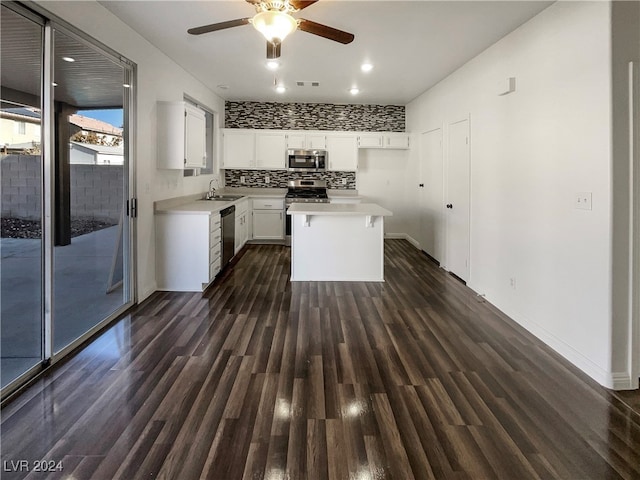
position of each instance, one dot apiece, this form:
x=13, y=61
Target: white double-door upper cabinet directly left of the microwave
x=247, y=149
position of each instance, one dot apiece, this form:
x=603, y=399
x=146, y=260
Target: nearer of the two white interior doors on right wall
x=457, y=203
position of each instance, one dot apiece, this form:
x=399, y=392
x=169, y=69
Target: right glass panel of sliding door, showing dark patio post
x=90, y=183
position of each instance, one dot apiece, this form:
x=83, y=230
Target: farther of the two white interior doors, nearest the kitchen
x=432, y=227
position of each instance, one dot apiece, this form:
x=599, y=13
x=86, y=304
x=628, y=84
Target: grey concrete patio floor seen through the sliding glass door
x=80, y=295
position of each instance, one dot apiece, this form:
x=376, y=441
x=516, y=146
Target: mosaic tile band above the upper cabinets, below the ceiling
x=314, y=116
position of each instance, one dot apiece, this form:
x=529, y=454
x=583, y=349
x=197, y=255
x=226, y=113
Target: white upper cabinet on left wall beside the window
x=182, y=135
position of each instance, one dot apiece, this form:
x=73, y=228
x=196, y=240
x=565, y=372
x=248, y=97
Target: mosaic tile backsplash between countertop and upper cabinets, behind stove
x=279, y=178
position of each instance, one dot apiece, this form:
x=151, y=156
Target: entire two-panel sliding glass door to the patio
x=67, y=236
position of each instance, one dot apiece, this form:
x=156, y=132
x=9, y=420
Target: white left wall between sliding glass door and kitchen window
x=159, y=78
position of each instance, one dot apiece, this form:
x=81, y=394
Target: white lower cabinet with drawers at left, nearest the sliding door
x=188, y=248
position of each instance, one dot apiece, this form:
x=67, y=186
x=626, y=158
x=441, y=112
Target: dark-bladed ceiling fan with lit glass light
x=273, y=19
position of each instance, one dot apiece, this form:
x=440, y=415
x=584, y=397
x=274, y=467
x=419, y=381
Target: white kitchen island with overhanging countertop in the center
x=337, y=242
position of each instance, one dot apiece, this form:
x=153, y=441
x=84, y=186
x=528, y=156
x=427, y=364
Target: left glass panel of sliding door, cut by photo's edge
x=21, y=246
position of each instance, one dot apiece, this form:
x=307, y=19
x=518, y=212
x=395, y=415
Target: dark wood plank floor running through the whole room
x=260, y=378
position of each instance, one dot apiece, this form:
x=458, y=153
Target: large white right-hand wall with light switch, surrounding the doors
x=531, y=152
